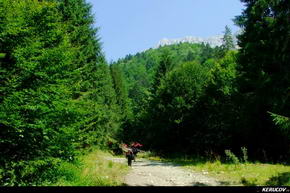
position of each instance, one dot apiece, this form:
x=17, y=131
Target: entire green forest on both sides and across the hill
x=58, y=94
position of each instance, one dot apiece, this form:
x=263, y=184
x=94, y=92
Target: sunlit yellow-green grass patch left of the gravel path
x=92, y=169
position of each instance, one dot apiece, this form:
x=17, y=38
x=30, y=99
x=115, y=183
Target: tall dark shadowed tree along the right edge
x=264, y=74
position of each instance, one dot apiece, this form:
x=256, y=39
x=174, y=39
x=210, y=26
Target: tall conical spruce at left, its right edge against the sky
x=91, y=80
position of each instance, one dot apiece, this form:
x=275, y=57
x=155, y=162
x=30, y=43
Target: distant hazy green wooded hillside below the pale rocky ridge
x=140, y=70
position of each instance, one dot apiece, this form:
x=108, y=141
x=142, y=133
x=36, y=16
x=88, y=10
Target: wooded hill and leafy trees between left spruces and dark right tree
x=183, y=97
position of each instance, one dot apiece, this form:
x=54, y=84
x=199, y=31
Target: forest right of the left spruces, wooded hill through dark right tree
x=200, y=100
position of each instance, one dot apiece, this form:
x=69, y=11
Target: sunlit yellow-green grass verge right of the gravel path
x=247, y=174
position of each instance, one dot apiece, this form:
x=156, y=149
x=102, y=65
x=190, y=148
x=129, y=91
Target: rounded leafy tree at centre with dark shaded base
x=173, y=104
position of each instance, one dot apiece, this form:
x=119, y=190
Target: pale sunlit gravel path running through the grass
x=155, y=173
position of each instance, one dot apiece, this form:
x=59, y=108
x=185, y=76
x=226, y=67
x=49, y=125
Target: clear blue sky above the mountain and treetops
x=131, y=26
